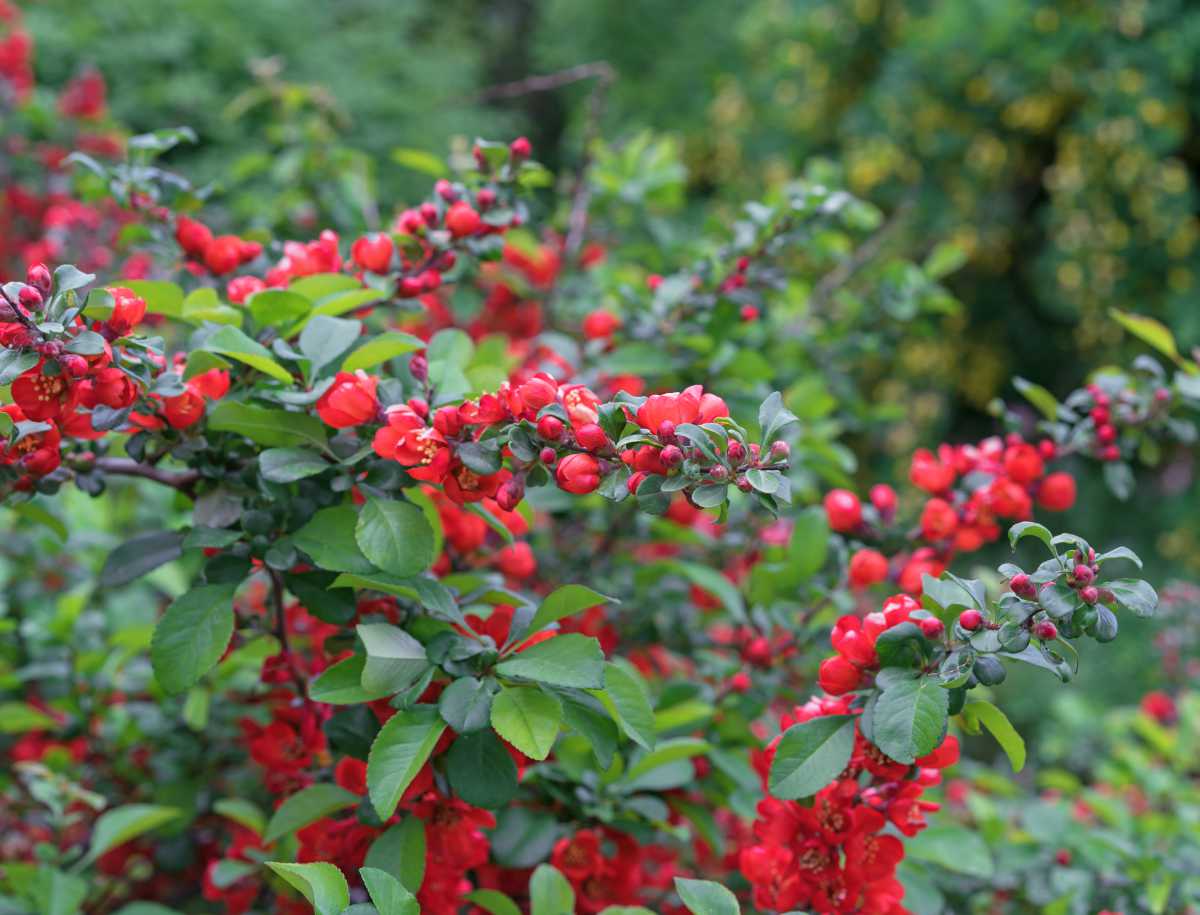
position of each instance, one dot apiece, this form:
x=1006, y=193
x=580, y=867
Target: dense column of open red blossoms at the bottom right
x=836, y=857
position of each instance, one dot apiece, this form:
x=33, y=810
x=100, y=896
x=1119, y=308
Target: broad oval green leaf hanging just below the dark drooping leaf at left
x=193, y=636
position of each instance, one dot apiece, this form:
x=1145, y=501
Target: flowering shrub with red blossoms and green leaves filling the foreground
x=370, y=486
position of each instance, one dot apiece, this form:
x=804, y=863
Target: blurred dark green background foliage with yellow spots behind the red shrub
x=1052, y=142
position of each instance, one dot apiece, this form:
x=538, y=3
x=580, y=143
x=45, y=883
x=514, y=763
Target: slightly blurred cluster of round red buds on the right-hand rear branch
x=971, y=491
